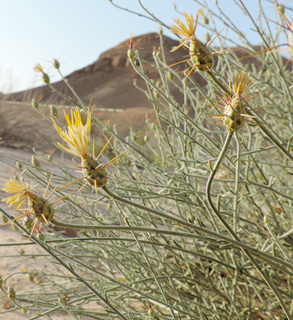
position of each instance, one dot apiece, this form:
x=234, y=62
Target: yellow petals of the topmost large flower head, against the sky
x=187, y=32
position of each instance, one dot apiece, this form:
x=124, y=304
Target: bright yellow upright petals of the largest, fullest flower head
x=77, y=135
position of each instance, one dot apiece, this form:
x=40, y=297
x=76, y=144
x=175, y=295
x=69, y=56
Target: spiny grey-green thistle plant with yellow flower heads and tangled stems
x=193, y=223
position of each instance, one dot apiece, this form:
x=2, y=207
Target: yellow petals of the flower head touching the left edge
x=21, y=193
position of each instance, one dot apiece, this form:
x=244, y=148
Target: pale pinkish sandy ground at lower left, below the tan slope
x=12, y=263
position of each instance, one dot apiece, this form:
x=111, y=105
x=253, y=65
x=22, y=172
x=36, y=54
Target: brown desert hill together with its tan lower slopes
x=107, y=83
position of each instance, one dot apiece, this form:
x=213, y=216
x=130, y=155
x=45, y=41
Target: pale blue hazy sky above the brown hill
x=76, y=32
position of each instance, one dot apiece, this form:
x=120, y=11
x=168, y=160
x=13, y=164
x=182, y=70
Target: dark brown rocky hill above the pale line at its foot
x=108, y=82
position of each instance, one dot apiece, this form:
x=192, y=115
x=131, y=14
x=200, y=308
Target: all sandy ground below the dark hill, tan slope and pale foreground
x=22, y=128
